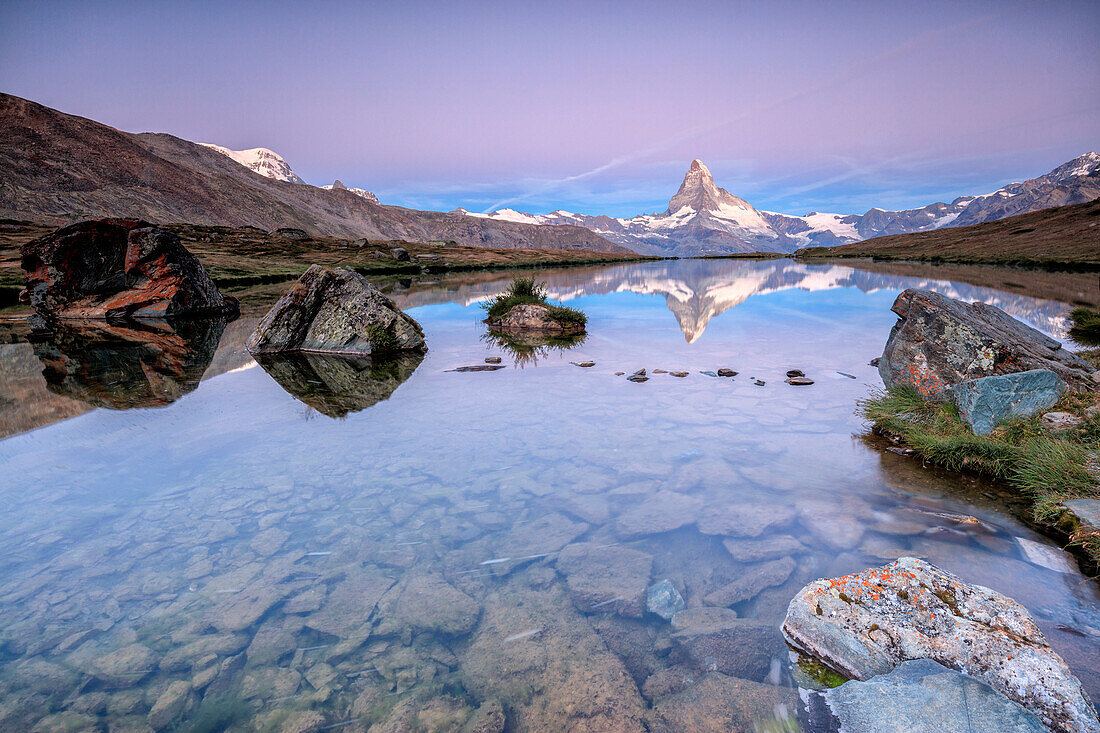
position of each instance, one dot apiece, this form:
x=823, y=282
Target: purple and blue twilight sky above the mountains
x=592, y=107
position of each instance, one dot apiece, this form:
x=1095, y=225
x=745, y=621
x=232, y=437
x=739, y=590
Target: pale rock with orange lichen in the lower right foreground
x=867, y=623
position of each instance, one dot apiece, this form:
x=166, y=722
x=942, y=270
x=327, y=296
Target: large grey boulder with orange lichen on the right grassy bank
x=939, y=343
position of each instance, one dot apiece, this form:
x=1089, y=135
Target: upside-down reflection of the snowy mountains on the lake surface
x=698, y=291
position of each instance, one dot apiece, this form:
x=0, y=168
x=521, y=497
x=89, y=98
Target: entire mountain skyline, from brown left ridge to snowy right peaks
x=57, y=168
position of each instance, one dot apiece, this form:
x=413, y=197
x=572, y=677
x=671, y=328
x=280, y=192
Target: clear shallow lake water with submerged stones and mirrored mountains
x=414, y=544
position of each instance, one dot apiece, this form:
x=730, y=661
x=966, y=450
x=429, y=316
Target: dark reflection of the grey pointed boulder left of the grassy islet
x=338, y=386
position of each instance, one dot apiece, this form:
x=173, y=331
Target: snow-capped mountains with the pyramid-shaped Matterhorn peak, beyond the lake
x=705, y=220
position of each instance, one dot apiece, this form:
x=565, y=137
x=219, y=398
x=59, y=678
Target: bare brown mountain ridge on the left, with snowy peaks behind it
x=57, y=169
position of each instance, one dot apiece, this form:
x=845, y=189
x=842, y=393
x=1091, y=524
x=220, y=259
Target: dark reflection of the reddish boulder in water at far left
x=147, y=364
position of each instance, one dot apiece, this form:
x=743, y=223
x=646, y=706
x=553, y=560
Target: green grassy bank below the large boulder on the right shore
x=1046, y=468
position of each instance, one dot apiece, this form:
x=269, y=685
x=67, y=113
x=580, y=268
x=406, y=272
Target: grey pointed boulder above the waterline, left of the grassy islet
x=336, y=312
